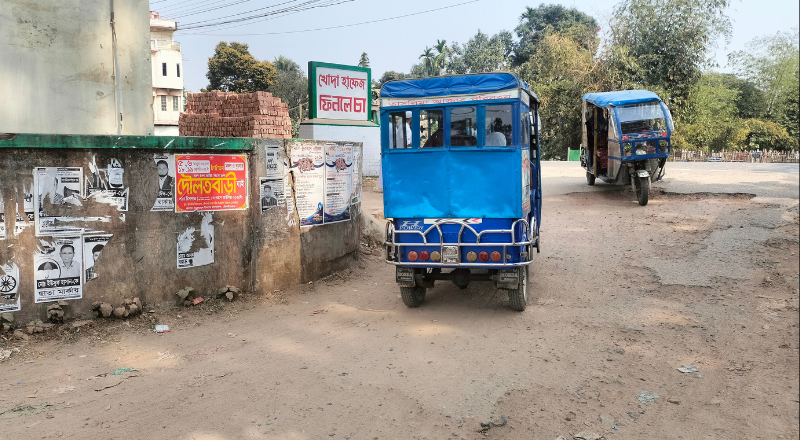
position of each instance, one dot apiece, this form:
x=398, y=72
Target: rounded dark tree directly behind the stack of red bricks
x=234, y=69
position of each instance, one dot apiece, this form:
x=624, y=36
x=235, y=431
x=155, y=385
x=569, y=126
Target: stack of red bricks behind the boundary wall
x=227, y=114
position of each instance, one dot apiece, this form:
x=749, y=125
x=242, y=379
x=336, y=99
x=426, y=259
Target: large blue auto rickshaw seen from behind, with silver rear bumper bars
x=461, y=182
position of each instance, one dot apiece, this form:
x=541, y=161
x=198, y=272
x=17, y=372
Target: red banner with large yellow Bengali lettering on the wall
x=206, y=182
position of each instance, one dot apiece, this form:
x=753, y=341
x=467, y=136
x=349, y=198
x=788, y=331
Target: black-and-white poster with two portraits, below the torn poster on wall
x=57, y=267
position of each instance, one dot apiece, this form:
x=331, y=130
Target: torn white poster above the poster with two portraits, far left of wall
x=54, y=189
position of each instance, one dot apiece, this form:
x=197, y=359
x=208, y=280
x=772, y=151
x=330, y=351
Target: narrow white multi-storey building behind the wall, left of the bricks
x=167, y=76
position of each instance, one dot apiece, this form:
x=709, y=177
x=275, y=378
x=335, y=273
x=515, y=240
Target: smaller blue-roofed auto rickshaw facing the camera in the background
x=626, y=139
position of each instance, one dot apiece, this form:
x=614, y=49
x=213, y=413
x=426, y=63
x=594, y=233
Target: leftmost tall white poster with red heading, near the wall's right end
x=308, y=167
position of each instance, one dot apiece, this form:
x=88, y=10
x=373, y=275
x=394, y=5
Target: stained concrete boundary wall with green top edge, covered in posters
x=253, y=250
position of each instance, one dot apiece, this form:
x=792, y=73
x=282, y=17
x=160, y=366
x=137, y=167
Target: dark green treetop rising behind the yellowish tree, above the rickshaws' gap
x=536, y=23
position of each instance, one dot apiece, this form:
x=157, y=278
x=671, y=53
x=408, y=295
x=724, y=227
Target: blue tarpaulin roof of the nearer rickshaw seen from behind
x=453, y=85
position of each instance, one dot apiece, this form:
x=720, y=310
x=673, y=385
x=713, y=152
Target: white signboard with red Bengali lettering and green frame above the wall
x=339, y=91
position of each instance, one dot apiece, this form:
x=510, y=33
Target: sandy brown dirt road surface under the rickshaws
x=705, y=275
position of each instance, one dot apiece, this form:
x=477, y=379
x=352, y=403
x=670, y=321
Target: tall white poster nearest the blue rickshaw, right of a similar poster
x=338, y=182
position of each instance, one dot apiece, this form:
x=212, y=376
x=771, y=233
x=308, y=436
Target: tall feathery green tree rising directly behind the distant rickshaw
x=670, y=41
